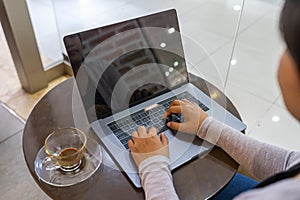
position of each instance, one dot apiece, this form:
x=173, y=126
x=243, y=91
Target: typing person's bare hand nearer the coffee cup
x=144, y=145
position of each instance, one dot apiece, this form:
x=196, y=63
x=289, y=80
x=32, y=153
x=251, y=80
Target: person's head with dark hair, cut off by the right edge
x=289, y=67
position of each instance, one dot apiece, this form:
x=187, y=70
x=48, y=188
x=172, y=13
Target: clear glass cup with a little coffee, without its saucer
x=65, y=148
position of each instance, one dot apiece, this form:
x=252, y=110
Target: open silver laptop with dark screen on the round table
x=127, y=74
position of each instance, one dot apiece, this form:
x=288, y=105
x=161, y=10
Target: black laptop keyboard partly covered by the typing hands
x=123, y=127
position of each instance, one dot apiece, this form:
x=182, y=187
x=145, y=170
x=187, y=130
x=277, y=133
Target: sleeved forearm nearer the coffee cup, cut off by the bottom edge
x=157, y=179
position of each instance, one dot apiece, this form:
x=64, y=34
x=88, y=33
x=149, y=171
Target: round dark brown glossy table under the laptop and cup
x=198, y=179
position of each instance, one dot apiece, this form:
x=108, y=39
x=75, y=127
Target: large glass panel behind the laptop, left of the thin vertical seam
x=206, y=26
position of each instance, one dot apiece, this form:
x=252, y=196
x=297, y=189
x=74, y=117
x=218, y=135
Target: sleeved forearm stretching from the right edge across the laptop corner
x=262, y=160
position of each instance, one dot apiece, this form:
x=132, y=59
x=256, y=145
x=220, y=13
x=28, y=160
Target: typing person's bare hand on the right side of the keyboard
x=193, y=116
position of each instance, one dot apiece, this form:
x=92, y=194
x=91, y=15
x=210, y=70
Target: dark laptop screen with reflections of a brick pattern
x=124, y=64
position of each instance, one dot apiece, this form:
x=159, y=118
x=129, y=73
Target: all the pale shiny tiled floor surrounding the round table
x=207, y=25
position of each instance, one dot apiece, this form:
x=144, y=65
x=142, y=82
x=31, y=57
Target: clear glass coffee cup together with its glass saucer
x=67, y=158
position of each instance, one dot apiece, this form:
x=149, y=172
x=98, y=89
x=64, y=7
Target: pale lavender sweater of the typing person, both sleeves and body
x=261, y=159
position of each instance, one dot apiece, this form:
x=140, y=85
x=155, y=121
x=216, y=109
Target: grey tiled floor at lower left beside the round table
x=16, y=181
